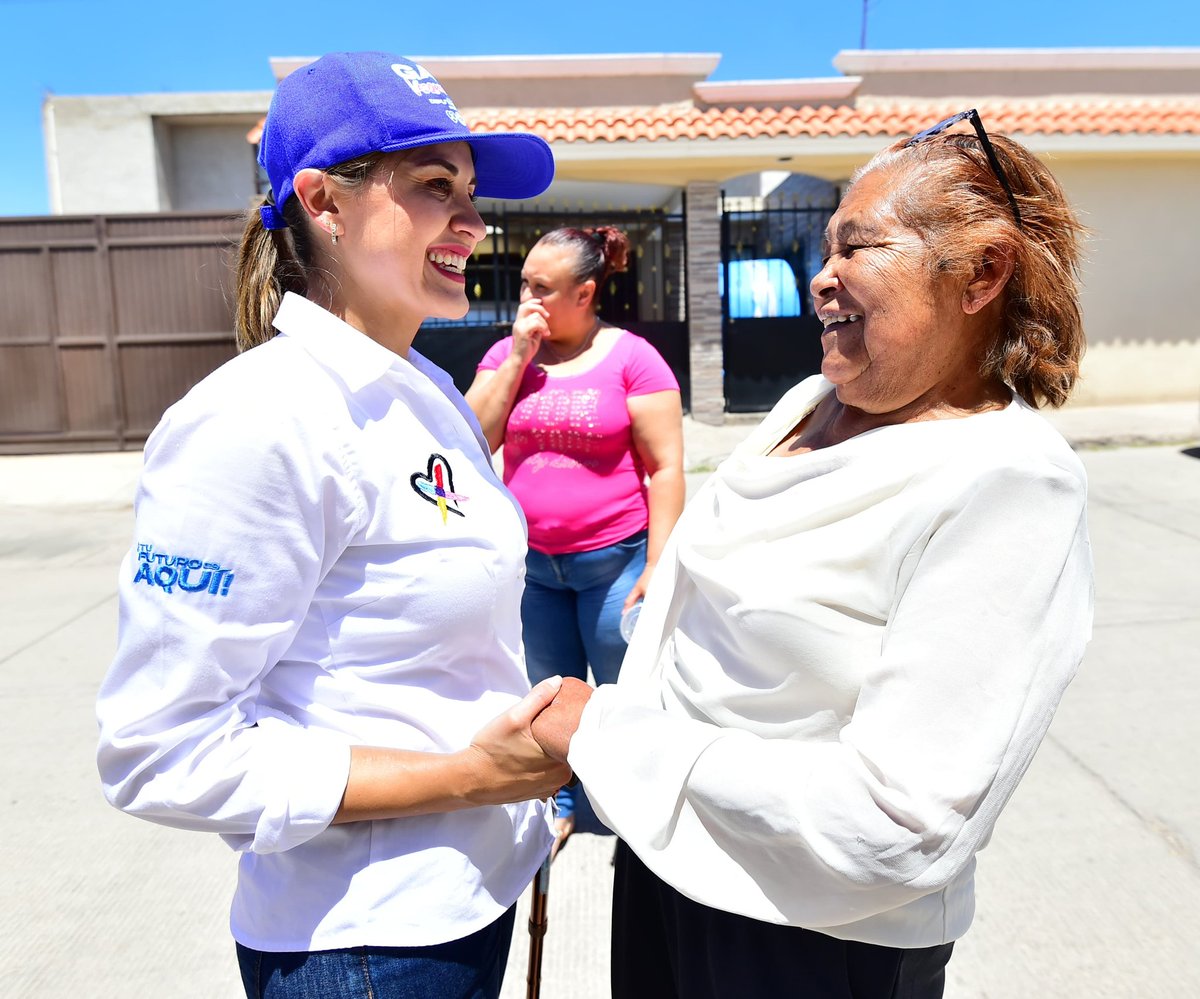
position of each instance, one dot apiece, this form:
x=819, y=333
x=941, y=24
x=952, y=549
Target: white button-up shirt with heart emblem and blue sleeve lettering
x=323, y=558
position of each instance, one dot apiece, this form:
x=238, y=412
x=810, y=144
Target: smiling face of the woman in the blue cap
x=407, y=238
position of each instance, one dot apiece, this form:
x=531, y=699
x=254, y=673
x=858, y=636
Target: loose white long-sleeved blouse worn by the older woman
x=844, y=667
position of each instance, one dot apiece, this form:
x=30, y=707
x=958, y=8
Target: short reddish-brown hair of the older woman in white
x=950, y=195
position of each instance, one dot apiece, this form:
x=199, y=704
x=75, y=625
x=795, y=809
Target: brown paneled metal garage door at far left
x=105, y=321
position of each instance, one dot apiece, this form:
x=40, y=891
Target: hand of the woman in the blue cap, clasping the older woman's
x=511, y=763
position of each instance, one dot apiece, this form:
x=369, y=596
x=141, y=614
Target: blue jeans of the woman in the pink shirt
x=572, y=615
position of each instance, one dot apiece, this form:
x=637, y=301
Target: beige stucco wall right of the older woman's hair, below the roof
x=1143, y=326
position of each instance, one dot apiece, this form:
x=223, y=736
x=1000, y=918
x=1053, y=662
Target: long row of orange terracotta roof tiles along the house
x=1148, y=116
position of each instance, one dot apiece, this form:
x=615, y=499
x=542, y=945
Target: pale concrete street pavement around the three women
x=1091, y=887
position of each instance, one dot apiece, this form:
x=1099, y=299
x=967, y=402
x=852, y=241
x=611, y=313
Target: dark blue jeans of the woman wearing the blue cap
x=471, y=968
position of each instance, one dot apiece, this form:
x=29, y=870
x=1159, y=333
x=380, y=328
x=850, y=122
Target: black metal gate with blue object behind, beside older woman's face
x=772, y=339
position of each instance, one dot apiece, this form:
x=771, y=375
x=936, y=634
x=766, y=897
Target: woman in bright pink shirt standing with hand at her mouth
x=590, y=420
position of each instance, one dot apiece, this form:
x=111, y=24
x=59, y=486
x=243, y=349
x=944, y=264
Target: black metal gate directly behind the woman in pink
x=650, y=298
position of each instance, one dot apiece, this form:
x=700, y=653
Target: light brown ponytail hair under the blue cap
x=272, y=262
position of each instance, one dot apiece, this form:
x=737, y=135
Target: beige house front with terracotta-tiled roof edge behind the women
x=655, y=135
